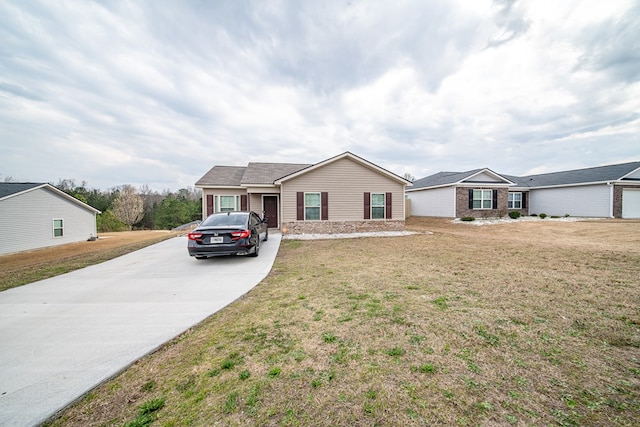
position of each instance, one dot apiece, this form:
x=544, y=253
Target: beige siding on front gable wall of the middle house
x=345, y=181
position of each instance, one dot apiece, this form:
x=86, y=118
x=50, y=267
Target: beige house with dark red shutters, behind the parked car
x=345, y=193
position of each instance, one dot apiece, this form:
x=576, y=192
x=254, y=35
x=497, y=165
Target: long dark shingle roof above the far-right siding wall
x=598, y=174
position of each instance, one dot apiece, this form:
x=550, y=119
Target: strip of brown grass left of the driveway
x=27, y=267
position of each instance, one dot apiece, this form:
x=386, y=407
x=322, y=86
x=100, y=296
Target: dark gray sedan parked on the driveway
x=228, y=233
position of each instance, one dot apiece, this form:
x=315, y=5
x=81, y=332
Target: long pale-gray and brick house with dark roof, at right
x=605, y=191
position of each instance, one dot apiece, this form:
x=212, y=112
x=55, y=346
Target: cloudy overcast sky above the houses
x=157, y=92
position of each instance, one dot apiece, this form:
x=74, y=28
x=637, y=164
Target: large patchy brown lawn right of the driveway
x=517, y=324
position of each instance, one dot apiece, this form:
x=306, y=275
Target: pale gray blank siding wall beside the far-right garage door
x=585, y=201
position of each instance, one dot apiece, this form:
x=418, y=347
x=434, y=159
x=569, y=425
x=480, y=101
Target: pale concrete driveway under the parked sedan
x=61, y=337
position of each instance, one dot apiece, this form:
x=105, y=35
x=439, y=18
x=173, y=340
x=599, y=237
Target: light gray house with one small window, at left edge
x=36, y=215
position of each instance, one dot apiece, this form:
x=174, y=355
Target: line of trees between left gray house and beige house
x=126, y=207
